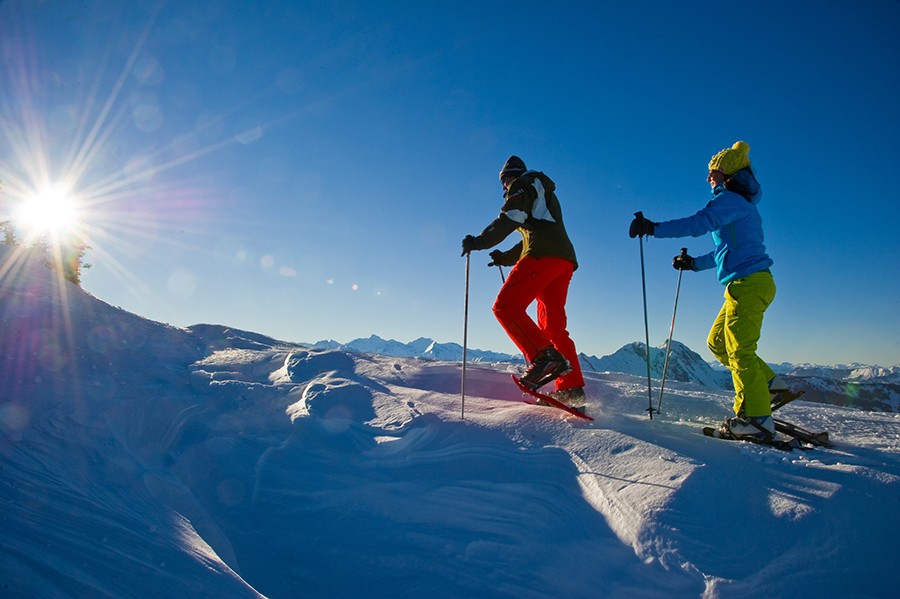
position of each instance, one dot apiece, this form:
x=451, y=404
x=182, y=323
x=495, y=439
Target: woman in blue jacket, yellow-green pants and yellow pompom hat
x=742, y=266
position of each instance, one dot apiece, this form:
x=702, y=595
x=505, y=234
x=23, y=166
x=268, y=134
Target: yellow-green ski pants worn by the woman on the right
x=734, y=337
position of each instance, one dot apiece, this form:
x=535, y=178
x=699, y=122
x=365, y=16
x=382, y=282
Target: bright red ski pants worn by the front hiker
x=547, y=281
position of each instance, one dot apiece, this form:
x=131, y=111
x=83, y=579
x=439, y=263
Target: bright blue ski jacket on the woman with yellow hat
x=736, y=227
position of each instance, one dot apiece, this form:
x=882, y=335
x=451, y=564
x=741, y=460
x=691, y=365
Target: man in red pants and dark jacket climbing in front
x=543, y=263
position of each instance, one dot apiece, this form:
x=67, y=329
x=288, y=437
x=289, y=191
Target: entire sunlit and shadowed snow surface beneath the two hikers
x=143, y=460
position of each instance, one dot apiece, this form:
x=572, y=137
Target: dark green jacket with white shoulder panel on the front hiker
x=531, y=207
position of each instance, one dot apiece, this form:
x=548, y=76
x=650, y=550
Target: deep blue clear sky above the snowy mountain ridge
x=307, y=169
